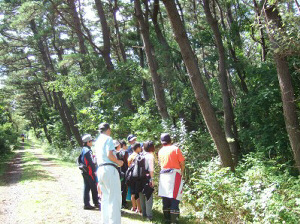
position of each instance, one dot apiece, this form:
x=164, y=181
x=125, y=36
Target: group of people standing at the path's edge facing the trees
x=106, y=170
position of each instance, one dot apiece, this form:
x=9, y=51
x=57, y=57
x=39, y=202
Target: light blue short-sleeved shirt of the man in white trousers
x=103, y=144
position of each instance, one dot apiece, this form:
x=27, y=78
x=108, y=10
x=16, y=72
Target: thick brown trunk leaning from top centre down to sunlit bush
x=199, y=88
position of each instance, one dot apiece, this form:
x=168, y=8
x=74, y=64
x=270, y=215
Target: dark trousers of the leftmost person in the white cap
x=89, y=185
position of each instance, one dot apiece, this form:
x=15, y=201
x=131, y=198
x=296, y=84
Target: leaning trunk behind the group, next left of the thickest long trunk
x=150, y=54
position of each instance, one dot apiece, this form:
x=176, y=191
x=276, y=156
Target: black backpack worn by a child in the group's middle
x=137, y=170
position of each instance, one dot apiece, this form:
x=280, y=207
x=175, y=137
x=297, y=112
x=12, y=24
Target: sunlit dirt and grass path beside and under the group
x=39, y=188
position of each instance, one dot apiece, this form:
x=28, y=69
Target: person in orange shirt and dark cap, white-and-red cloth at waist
x=170, y=182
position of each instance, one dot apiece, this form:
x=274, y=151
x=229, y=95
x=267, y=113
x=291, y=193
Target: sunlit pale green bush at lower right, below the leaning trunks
x=258, y=192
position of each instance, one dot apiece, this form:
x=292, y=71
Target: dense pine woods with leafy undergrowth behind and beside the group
x=222, y=76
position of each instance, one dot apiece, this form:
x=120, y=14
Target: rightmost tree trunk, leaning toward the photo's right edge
x=285, y=82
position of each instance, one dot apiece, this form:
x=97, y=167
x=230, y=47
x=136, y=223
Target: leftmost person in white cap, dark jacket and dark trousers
x=89, y=177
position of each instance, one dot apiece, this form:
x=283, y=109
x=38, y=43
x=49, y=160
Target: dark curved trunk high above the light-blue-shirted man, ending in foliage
x=105, y=35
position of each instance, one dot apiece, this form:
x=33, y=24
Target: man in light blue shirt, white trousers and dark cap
x=108, y=176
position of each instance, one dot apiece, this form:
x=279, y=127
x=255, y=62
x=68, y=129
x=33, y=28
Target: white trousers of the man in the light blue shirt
x=111, y=200
